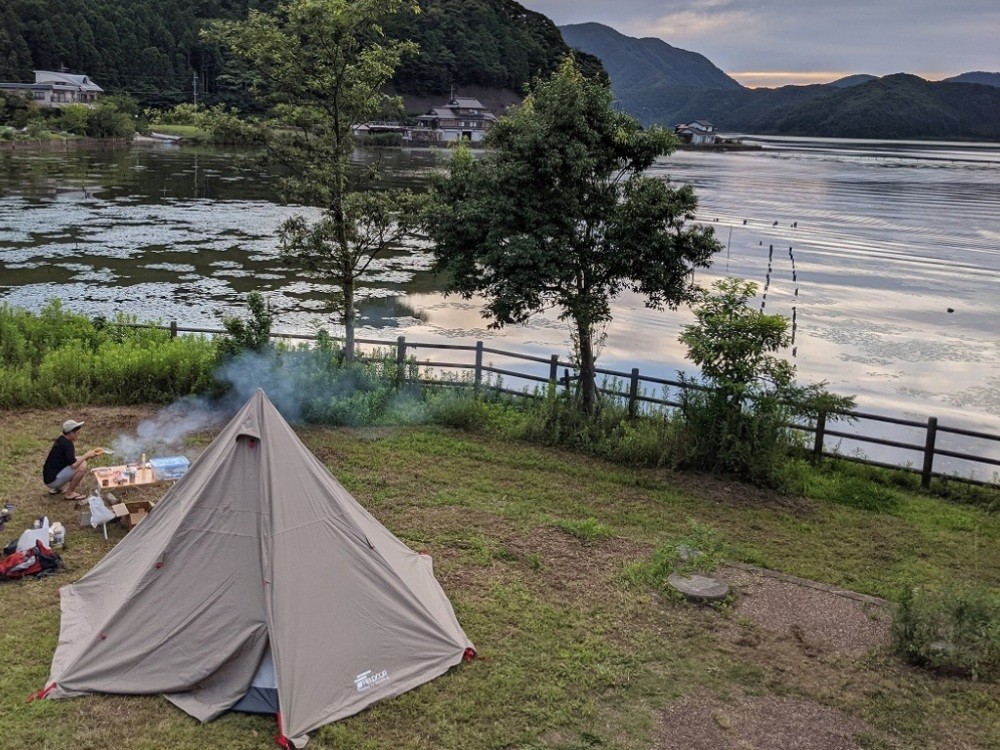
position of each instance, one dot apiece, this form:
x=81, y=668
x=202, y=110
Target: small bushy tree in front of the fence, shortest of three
x=736, y=418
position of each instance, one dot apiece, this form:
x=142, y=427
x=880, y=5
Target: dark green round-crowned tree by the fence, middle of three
x=559, y=213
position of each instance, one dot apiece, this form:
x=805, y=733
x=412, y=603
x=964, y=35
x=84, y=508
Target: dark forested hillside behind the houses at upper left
x=151, y=48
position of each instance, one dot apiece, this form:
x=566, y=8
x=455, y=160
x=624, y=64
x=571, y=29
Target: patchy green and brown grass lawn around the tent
x=531, y=545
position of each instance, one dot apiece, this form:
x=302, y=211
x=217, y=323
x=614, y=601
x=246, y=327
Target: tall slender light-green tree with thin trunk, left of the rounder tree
x=320, y=66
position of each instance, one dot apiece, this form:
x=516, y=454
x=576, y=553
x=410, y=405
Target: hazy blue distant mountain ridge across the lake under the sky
x=658, y=83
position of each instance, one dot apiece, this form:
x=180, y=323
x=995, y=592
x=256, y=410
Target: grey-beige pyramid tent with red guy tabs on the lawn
x=257, y=580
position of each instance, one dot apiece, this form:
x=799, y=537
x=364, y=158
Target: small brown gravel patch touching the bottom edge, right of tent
x=756, y=723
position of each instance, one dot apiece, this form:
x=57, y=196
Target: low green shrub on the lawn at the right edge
x=955, y=631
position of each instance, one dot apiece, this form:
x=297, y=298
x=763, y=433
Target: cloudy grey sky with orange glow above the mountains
x=774, y=42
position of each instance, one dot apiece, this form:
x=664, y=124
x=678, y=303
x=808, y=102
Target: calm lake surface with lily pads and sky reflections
x=886, y=254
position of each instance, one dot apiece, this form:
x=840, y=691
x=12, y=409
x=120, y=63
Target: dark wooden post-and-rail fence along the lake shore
x=925, y=451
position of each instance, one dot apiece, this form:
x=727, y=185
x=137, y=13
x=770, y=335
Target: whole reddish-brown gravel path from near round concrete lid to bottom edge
x=806, y=640
